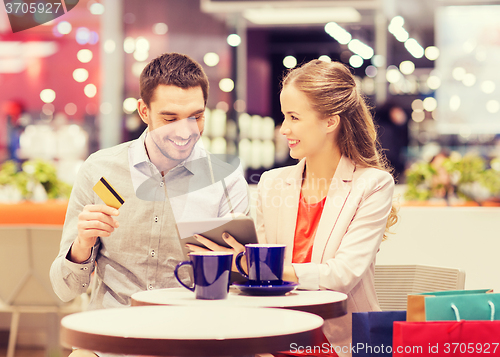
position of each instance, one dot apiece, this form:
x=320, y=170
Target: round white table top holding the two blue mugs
x=324, y=303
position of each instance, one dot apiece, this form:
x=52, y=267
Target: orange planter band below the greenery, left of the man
x=50, y=212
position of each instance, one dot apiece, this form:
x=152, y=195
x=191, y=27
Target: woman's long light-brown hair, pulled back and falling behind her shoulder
x=331, y=90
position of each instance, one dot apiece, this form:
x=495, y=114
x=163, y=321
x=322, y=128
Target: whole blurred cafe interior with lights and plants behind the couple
x=428, y=69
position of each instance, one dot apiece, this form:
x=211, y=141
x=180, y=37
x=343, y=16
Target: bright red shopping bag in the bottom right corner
x=446, y=338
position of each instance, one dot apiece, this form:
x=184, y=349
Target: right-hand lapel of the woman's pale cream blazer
x=338, y=192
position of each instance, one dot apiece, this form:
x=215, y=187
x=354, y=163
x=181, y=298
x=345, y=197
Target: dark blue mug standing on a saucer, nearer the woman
x=264, y=262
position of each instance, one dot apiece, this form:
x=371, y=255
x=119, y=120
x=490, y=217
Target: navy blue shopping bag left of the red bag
x=372, y=332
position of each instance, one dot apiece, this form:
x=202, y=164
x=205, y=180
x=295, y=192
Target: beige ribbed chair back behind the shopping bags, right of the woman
x=394, y=282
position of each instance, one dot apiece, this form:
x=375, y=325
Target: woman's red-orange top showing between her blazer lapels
x=307, y=222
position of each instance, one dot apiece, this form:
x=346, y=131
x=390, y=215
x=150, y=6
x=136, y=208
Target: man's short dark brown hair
x=172, y=69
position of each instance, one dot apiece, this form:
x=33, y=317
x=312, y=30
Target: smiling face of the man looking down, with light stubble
x=175, y=121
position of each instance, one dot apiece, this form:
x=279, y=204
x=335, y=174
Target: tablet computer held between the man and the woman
x=242, y=228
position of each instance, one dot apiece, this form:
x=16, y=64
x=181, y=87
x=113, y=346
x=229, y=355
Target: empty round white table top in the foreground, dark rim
x=189, y=330
